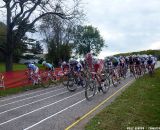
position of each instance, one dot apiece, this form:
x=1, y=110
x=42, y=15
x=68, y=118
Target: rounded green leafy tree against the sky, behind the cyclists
x=87, y=39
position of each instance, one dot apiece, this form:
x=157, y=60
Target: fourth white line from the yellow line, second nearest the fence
x=29, y=98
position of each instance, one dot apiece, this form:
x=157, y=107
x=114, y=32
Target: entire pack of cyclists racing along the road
x=117, y=67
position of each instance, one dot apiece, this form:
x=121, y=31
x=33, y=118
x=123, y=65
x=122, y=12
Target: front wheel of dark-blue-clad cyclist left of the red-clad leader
x=71, y=83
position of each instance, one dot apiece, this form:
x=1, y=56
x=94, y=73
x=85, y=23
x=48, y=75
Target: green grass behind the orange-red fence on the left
x=16, y=67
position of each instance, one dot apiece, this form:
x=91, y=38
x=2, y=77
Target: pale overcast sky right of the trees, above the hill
x=125, y=25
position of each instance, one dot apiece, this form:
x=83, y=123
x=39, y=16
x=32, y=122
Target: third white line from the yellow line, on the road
x=32, y=103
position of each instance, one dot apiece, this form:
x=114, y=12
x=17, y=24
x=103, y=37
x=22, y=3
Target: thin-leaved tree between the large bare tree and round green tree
x=58, y=34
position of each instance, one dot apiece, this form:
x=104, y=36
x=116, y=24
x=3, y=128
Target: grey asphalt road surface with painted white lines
x=53, y=108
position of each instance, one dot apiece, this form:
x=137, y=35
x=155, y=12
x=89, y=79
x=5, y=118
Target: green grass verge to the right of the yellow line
x=138, y=105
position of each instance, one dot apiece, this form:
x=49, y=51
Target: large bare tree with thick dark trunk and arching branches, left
x=22, y=16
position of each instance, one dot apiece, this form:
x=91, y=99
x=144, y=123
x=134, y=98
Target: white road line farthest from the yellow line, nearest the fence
x=26, y=94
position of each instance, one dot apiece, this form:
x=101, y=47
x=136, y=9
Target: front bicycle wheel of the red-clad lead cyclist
x=90, y=89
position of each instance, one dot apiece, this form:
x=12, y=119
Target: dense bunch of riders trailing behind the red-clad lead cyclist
x=137, y=64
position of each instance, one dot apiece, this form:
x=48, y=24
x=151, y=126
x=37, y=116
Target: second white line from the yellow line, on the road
x=39, y=109
